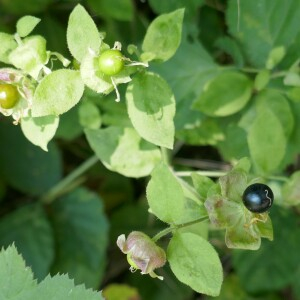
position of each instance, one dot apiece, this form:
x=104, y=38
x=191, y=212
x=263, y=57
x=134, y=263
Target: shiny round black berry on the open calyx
x=258, y=197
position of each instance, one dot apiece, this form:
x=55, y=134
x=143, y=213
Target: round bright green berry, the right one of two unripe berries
x=111, y=62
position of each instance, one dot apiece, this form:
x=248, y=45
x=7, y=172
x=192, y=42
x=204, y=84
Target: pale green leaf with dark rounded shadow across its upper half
x=151, y=108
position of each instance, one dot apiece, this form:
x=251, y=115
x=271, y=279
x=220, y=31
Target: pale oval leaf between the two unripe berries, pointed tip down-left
x=57, y=93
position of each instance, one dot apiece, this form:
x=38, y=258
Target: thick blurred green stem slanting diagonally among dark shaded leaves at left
x=64, y=184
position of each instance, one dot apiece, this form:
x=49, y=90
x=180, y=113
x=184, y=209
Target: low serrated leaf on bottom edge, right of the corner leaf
x=60, y=287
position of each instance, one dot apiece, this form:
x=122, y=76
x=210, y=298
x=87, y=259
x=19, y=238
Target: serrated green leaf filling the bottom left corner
x=15, y=278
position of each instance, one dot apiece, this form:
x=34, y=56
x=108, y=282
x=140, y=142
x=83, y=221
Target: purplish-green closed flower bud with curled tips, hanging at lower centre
x=142, y=253
